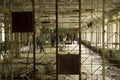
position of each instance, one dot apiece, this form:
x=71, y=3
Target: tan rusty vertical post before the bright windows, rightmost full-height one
x=103, y=41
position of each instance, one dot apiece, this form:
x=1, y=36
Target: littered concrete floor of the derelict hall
x=45, y=64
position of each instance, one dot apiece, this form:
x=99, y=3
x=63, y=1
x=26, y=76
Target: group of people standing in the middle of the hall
x=40, y=40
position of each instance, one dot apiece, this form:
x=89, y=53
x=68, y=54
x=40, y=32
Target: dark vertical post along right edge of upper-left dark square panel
x=33, y=17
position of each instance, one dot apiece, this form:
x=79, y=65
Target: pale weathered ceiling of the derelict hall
x=68, y=10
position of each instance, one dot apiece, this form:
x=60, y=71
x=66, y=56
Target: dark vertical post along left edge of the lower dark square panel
x=56, y=4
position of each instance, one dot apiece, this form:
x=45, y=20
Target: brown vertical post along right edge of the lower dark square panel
x=80, y=38
